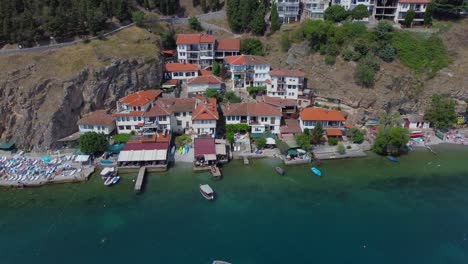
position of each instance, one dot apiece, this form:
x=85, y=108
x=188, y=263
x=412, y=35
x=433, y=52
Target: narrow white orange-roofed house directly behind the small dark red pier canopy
x=205, y=117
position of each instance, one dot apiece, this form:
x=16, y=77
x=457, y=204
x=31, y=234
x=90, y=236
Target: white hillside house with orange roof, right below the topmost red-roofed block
x=247, y=70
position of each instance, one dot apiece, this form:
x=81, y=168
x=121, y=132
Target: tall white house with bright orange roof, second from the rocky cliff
x=130, y=110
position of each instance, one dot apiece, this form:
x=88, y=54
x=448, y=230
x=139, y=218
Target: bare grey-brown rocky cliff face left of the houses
x=38, y=113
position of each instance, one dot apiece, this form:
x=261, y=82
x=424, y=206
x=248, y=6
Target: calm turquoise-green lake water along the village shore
x=365, y=210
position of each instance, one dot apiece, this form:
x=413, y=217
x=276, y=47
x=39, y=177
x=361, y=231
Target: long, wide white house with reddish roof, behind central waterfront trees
x=259, y=116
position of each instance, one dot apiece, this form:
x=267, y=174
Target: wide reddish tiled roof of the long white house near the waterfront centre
x=251, y=109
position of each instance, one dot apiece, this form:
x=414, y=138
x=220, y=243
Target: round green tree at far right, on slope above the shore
x=441, y=112
